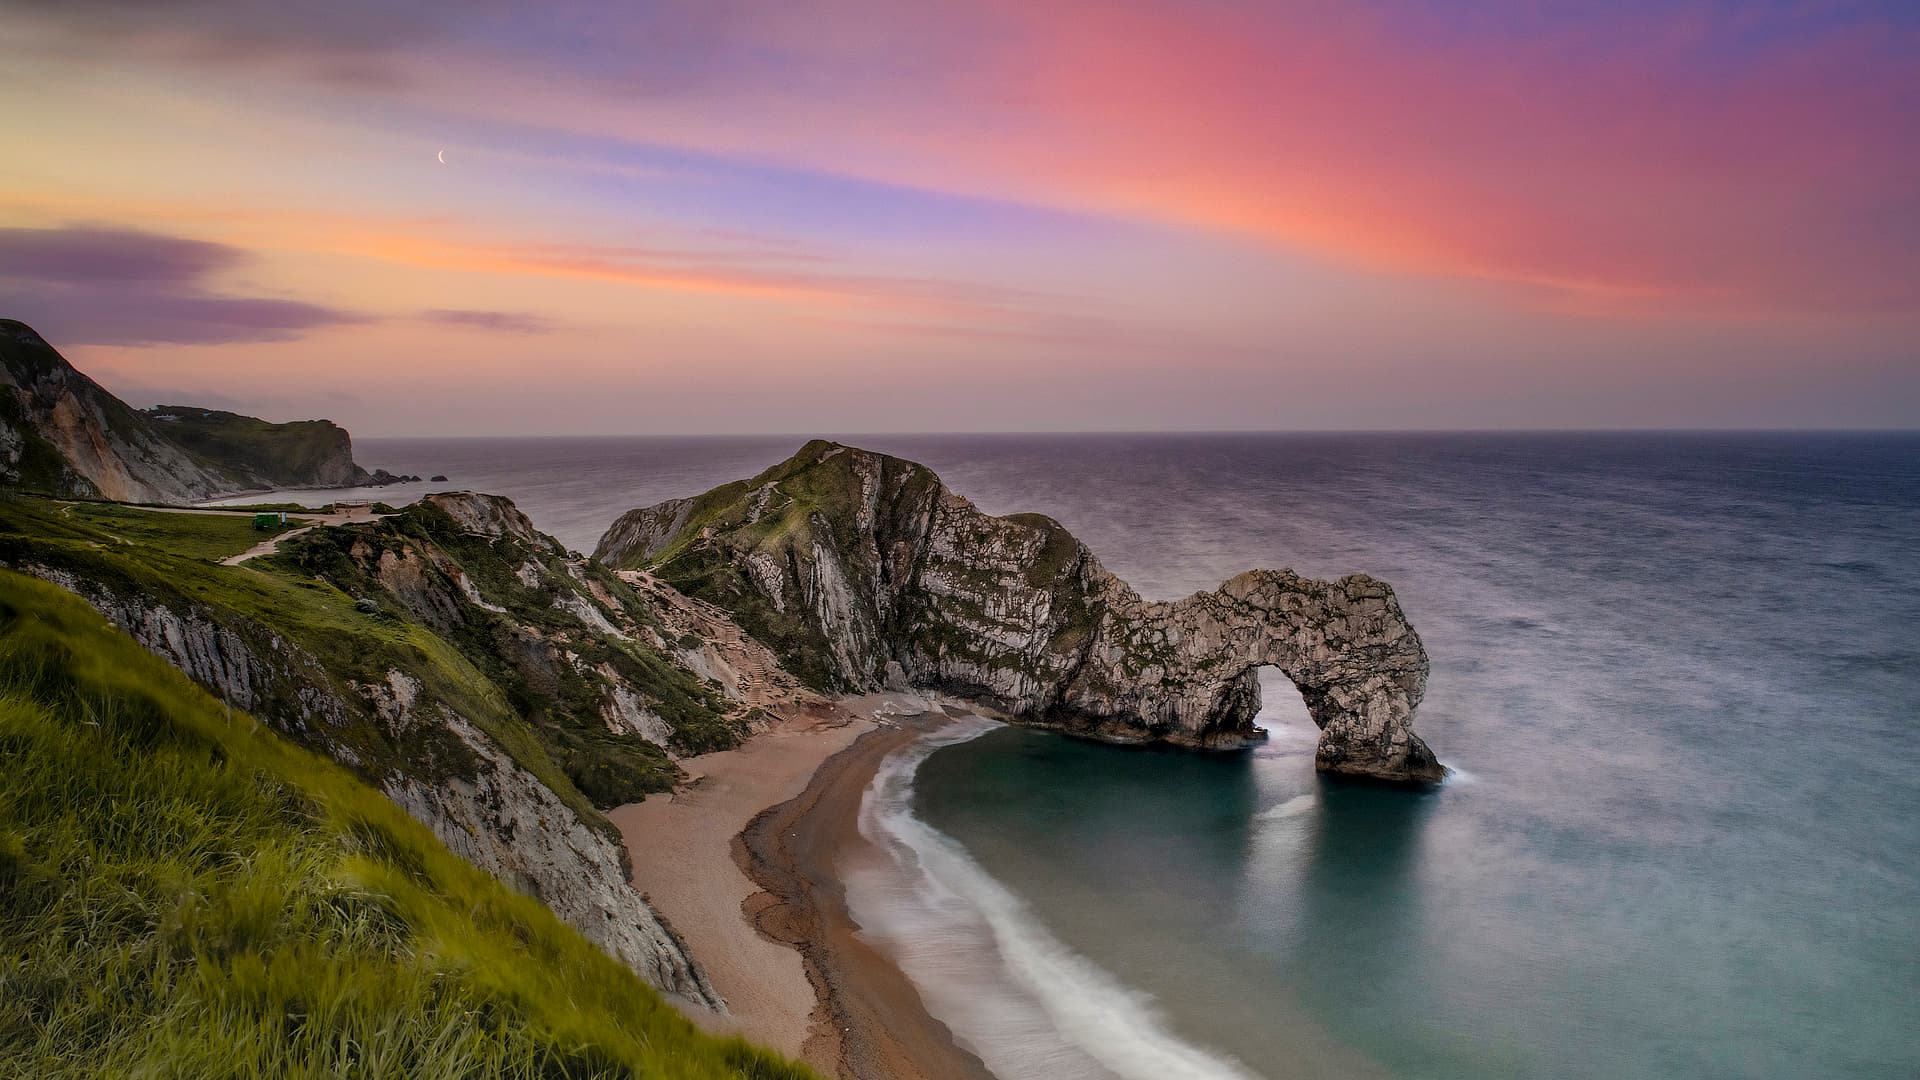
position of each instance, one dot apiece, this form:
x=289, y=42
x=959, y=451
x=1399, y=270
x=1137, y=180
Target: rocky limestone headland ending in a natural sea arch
x=863, y=572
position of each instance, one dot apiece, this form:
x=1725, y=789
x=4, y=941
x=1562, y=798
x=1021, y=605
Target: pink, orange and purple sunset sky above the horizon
x=863, y=216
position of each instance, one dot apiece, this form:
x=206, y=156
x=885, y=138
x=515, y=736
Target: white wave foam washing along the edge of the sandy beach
x=992, y=970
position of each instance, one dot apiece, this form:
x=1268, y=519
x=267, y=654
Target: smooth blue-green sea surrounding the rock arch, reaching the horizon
x=1675, y=677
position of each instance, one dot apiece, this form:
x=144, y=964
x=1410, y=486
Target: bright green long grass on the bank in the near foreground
x=187, y=895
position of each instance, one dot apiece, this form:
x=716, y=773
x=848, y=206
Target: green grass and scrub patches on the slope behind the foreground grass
x=483, y=664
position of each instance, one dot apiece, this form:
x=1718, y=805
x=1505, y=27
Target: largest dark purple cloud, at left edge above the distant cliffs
x=99, y=285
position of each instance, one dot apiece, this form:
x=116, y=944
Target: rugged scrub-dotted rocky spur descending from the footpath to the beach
x=598, y=668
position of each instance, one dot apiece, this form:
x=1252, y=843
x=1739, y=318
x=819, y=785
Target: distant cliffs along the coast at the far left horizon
x=62, y=433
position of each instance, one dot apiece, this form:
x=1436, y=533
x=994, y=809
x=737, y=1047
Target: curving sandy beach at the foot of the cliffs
x=744, y=862
